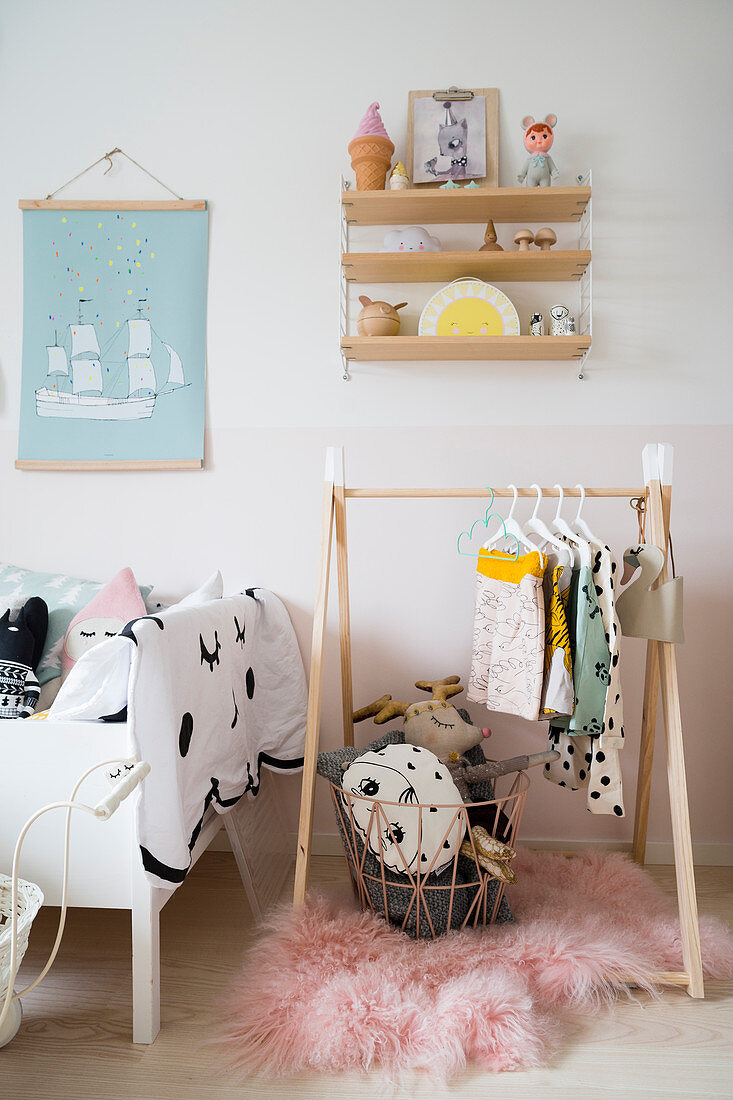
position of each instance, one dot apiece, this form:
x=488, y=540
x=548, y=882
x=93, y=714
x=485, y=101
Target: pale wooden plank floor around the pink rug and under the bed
x=75, y=1038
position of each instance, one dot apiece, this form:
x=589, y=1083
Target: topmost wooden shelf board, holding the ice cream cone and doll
x=418, y=206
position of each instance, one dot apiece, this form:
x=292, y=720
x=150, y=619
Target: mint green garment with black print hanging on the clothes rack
x=592, y=657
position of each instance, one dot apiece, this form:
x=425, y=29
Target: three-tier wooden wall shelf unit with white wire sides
x=467, y=206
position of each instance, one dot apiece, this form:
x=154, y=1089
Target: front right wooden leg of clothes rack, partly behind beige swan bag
x=676, y=775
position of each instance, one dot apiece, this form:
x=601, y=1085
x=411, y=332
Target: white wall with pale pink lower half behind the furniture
x=251, y=106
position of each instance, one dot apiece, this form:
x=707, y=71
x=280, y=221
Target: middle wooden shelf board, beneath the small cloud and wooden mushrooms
x=533, y=267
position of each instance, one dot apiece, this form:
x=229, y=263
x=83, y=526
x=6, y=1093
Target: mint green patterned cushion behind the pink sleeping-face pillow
x=65, y=597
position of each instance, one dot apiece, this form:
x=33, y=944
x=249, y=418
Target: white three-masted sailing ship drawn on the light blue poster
x=91, y=373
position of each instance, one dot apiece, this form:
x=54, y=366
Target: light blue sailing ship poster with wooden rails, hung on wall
x=114, y=337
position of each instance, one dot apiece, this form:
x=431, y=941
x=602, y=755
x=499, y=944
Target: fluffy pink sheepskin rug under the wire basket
x=335, y=989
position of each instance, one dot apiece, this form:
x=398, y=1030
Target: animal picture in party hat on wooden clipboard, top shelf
x=454, y=136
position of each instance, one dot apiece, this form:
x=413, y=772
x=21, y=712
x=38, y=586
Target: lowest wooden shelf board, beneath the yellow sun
x=453, y=349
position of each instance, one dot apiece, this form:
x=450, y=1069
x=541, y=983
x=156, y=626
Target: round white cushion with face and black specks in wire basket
x=423, y=818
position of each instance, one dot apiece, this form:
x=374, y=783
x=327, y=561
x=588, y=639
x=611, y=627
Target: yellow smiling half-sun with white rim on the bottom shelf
x=469, y=307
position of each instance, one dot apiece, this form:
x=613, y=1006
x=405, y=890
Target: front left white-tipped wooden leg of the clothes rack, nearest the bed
x=315, y=690
